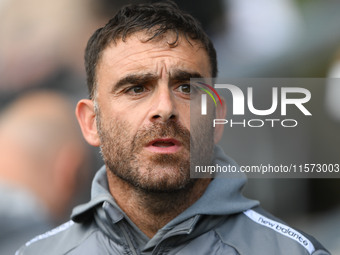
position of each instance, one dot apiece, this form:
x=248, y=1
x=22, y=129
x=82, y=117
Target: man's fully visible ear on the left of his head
x=87, y=121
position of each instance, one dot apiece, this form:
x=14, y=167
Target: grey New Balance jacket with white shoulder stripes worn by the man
x=222, y=221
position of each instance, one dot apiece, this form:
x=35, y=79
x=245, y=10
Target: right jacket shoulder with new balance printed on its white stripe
x=255, y=231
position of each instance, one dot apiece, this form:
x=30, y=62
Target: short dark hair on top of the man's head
x=154, y=18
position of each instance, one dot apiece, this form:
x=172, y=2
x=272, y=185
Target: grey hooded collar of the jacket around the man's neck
x=222, y=197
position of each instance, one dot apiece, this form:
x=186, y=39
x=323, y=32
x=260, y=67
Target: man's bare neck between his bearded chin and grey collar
x=150, y=211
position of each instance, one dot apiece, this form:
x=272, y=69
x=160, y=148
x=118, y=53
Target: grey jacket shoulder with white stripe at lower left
x=60, y=240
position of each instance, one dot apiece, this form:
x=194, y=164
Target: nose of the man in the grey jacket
x=163, y=105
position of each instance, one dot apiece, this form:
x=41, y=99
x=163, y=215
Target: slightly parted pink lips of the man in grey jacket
x=164, y=145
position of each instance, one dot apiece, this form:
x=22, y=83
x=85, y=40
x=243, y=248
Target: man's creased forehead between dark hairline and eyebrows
x=135, y=54
